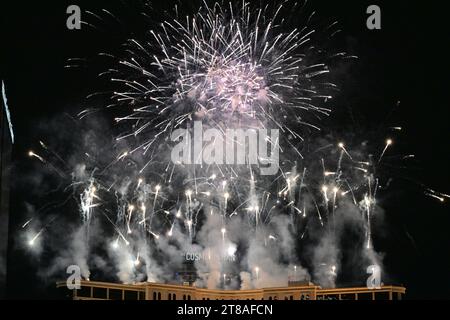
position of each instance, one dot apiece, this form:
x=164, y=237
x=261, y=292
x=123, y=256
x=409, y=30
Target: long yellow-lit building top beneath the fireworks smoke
x=91, y=290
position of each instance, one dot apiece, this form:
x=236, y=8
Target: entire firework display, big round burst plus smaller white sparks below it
x=229, y=66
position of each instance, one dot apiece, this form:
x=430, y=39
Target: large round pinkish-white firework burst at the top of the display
x=226, y=64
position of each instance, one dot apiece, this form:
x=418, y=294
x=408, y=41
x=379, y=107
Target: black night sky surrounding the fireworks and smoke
x=406, y=61
